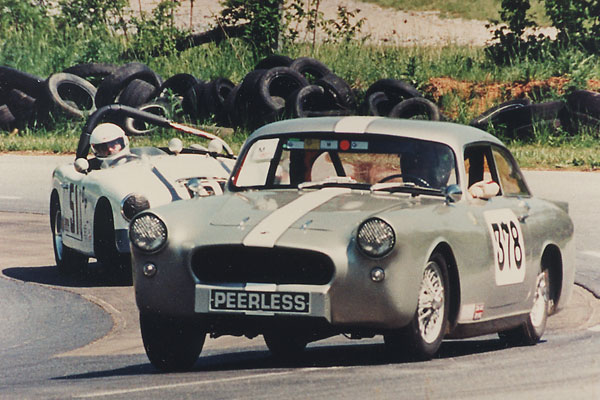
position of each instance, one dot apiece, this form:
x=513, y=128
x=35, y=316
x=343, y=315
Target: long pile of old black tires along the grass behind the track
x=278, y=87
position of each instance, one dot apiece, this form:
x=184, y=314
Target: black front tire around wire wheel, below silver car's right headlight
x=409, y=341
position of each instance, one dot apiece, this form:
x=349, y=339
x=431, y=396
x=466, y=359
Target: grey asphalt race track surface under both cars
x=79, y=338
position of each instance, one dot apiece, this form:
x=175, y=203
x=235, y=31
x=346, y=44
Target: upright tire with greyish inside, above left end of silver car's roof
x=276, y=84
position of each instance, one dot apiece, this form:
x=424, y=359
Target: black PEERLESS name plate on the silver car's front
x=269, y=302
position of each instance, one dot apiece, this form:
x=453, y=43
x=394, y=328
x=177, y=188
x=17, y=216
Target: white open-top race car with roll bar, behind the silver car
x=92, y=201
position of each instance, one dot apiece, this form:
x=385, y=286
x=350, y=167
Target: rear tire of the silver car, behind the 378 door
x=530, y=332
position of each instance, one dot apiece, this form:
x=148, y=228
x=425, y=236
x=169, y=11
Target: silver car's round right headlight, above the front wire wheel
x=375, y=237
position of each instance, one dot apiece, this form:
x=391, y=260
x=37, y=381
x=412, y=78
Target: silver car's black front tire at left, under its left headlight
x=171, y=344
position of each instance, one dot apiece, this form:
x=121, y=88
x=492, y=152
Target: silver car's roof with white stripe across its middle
x=453, y=134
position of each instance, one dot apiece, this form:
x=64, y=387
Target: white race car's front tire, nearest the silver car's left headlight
x=105, y=248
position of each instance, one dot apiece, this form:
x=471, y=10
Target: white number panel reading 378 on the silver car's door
x=509, y=246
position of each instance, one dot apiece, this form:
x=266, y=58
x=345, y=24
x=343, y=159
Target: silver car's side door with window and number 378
x=503, y=218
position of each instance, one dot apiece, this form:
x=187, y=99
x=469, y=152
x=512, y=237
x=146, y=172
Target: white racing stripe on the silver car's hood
x=266, y=233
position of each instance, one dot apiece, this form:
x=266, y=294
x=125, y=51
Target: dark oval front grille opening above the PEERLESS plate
x=240, y=264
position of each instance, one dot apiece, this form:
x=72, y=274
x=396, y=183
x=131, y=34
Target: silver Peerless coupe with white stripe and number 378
x=363, y=226
